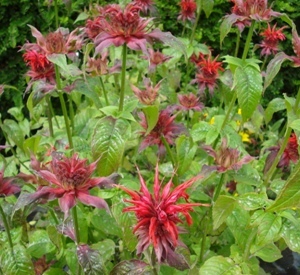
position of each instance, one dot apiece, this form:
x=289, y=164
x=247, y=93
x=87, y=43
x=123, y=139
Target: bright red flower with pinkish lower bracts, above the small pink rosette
x=208, y=73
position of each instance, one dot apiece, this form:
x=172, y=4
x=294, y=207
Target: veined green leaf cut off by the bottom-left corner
x=20, y=263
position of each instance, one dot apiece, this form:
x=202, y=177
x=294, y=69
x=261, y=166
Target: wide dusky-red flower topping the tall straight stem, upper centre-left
x=118, y=27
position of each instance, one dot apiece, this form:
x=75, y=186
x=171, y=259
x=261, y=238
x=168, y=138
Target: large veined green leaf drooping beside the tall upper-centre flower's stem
x=108, y=144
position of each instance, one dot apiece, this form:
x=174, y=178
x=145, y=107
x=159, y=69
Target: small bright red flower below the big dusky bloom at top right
x=272, y=36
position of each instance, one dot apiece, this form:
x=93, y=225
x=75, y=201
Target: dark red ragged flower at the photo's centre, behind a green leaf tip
x=164, y=128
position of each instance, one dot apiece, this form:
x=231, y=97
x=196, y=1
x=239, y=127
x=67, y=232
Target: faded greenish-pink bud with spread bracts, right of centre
x=227, y=158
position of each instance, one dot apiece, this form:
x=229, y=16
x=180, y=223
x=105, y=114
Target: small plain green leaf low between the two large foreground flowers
x=105, y=222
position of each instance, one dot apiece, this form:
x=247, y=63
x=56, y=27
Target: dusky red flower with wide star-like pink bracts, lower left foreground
x=69, y=179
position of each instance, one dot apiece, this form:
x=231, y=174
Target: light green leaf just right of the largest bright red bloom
x=222, y=208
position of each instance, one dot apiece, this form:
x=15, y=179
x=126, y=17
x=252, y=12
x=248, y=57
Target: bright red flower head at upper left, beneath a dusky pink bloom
x=40, y=66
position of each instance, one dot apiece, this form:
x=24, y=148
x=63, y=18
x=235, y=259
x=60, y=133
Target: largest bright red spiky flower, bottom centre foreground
x=158, y=215
